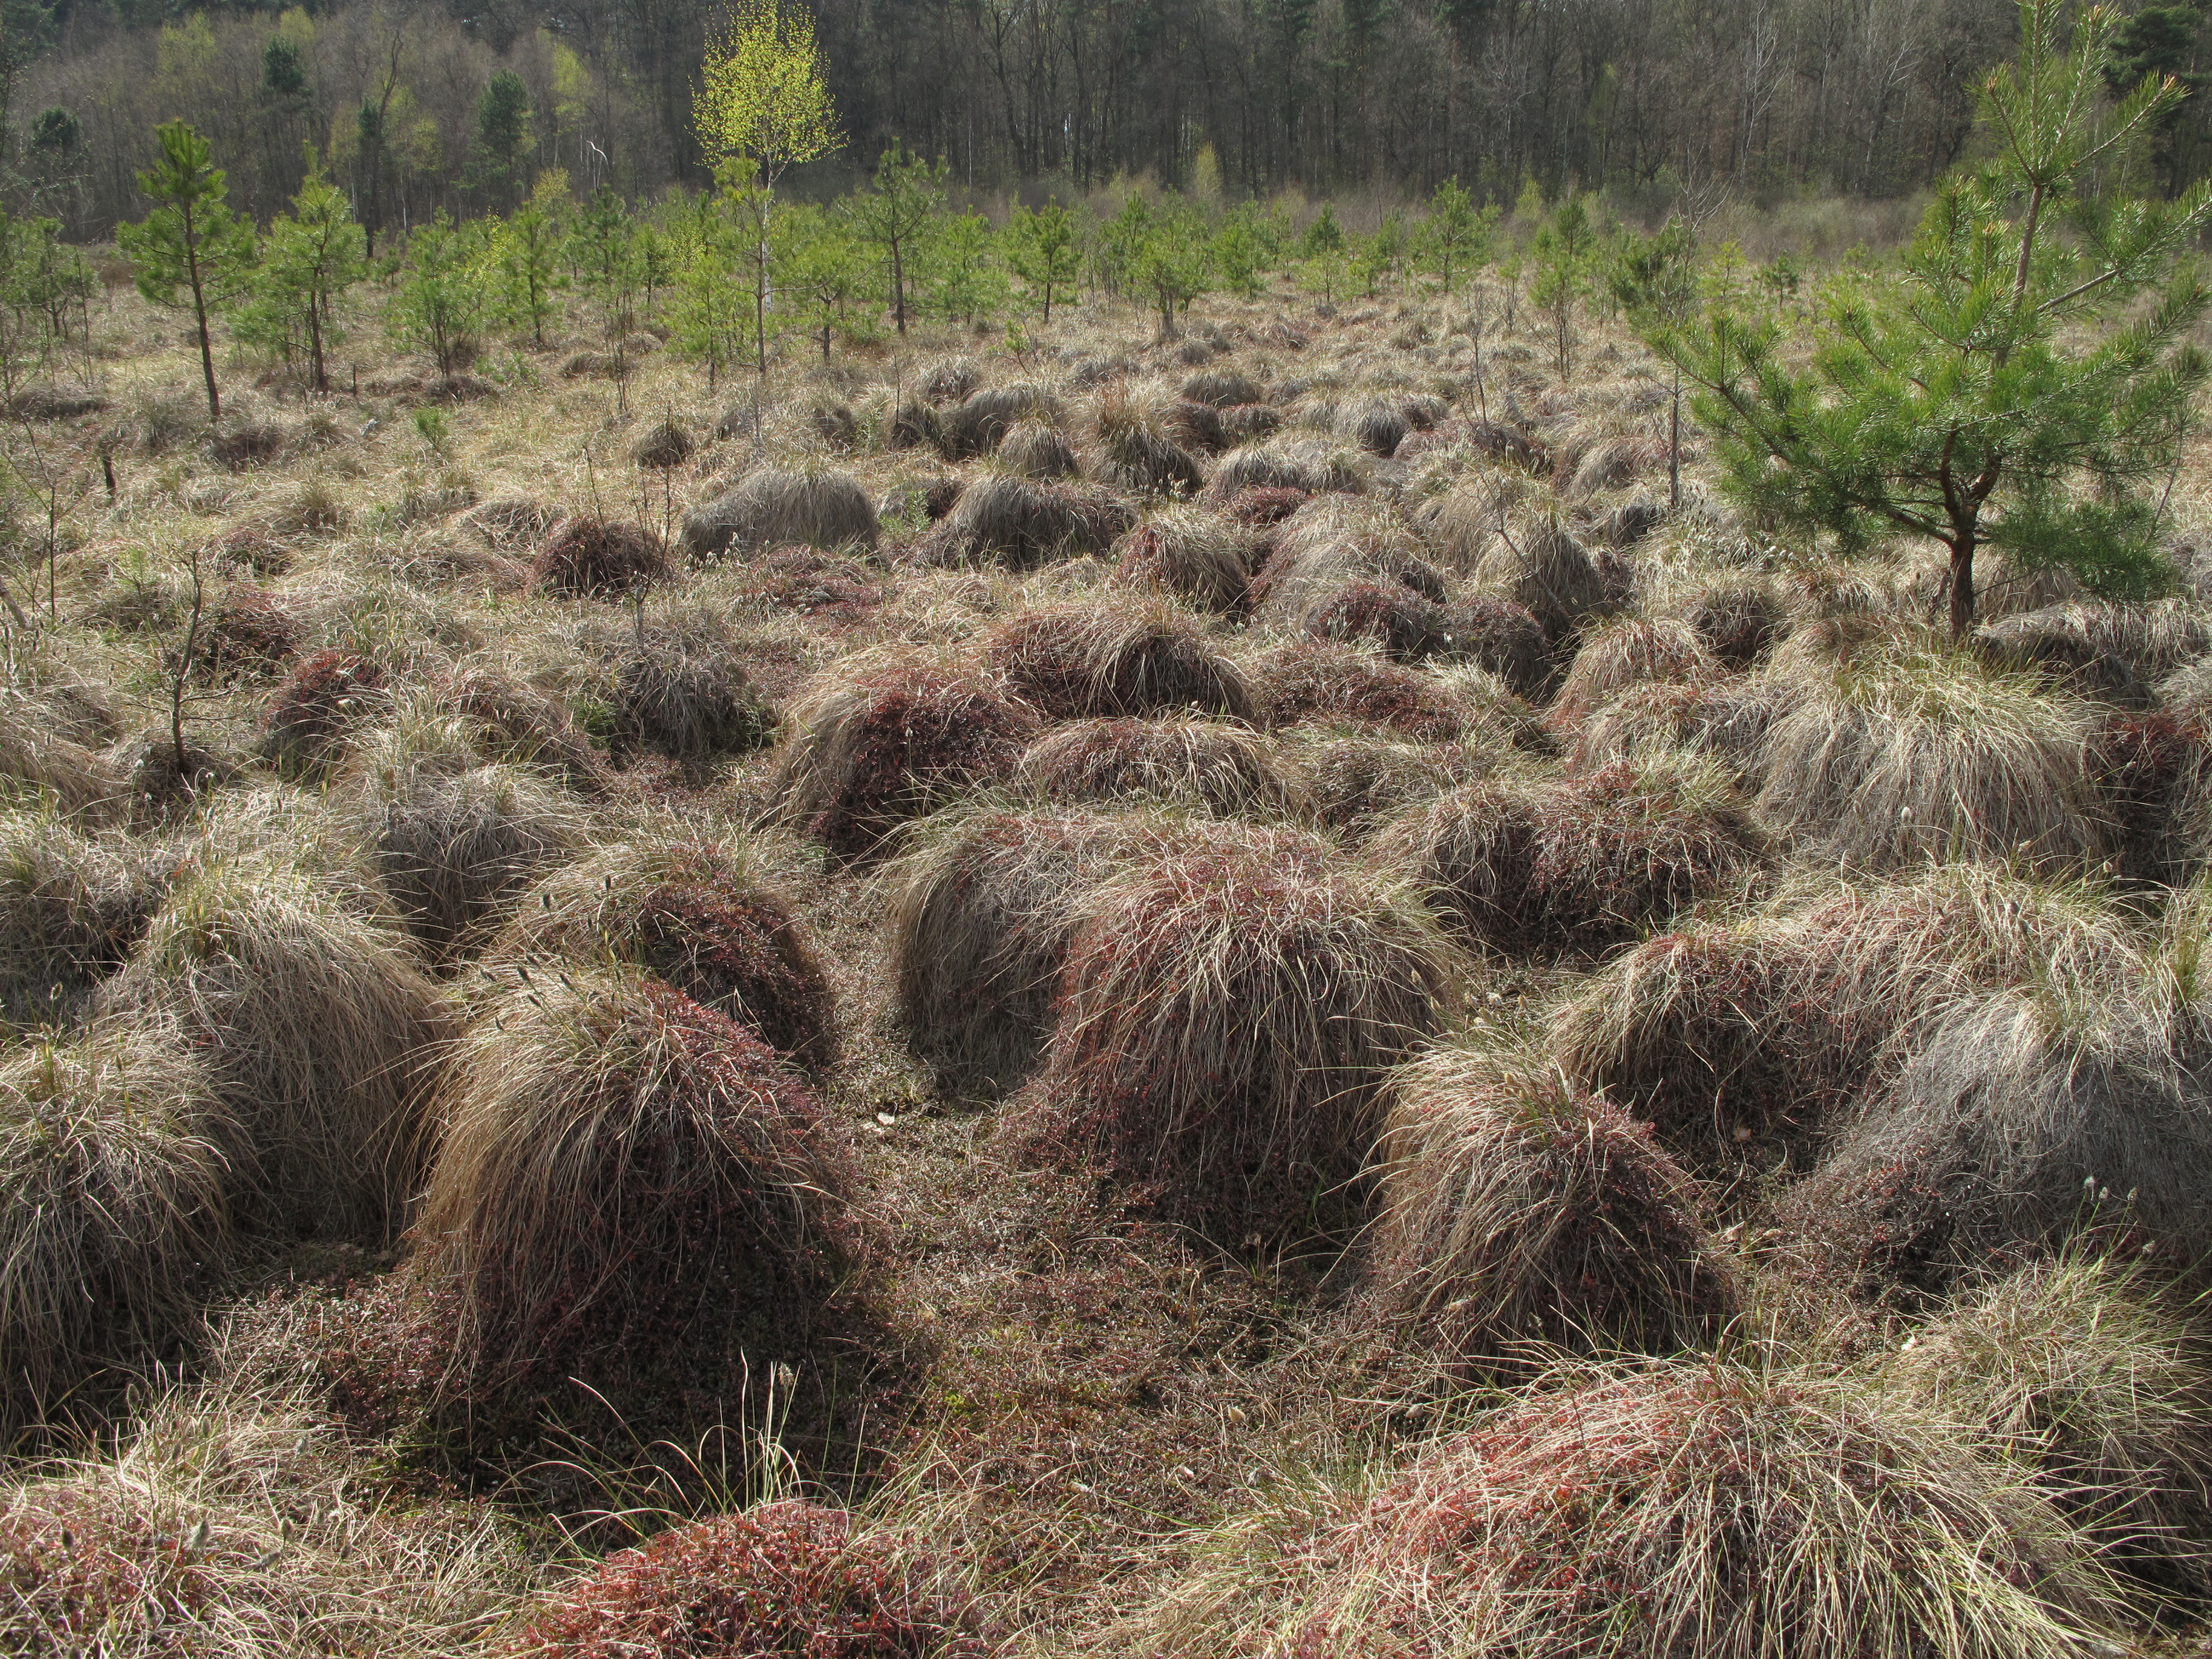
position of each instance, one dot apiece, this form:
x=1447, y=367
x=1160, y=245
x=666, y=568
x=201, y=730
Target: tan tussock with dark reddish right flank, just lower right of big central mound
x=1519, y=1211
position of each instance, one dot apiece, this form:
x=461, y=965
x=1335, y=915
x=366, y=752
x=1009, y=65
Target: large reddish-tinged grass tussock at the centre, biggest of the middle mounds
x=1227, y=1021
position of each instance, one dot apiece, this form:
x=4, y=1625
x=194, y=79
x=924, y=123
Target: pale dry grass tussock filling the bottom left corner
x=244, y=1527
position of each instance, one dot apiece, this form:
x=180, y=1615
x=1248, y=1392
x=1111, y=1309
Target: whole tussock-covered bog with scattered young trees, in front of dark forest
x=1187, y=924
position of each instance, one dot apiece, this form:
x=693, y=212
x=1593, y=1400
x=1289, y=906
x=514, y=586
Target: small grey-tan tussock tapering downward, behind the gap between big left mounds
x=457, y=844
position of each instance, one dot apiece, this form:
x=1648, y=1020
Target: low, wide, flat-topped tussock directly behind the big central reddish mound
x=1227, y=771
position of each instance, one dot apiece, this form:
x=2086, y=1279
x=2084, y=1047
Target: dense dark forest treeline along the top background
x=419, y=107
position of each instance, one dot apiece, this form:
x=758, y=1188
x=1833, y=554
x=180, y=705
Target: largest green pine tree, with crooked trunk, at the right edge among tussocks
x=1992, y=393
